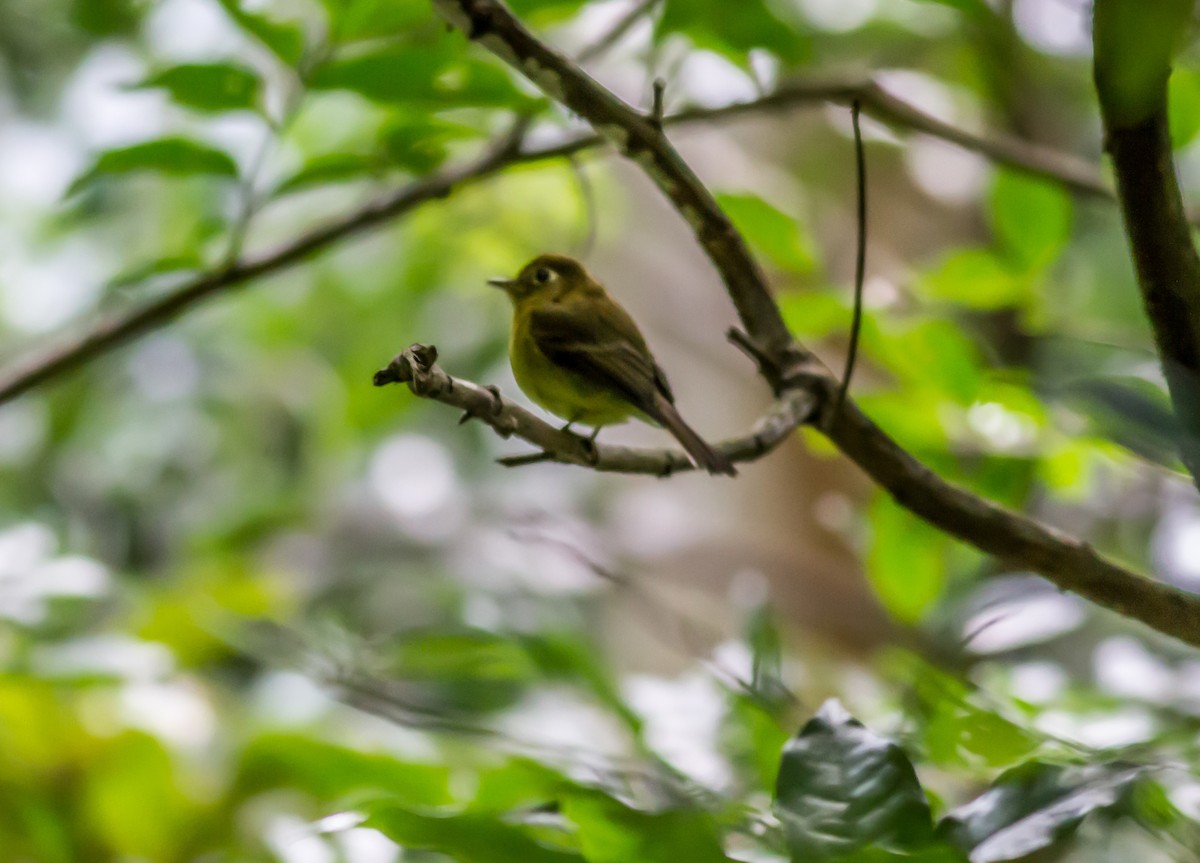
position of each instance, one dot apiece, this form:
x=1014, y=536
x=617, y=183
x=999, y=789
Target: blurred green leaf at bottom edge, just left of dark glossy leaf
x=611, y=832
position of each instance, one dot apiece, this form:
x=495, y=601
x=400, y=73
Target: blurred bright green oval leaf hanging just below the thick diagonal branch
x=907, y=561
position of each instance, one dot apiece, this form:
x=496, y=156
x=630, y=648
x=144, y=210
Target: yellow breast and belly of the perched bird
x=560, y=391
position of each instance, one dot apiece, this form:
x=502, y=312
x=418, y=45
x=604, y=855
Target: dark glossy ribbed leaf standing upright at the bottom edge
x=843, y=790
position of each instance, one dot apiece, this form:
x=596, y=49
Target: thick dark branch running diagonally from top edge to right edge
x=1022, y=542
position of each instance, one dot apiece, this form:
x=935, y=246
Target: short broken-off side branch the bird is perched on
x=417, y=367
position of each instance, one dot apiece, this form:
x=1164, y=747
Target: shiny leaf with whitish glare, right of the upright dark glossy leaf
x=1036, y=806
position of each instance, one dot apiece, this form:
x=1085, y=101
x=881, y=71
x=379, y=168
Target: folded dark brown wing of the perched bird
x=596, y=345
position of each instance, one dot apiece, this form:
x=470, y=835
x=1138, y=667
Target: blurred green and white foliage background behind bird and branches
x=245, y=596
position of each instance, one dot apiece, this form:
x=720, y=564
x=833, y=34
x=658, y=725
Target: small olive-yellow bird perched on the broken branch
x=579, y=355
